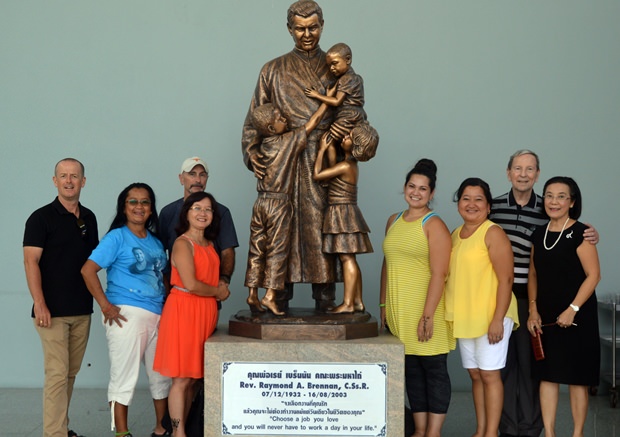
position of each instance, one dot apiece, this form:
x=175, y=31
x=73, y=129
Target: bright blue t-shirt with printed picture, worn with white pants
x=133, y=267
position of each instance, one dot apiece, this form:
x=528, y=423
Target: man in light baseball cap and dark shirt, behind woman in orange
x=193, y=177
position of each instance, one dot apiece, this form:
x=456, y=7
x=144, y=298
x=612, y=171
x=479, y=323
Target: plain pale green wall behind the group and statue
x=132, y=88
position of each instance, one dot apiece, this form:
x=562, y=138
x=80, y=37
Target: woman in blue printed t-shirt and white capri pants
x=132, y=302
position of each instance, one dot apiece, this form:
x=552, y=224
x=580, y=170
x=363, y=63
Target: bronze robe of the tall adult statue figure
x=282, y=82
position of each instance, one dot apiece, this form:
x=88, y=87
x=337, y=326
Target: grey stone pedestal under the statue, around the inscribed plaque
x=224, y=348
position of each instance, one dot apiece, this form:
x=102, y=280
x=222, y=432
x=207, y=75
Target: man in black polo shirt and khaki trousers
x=58, y=239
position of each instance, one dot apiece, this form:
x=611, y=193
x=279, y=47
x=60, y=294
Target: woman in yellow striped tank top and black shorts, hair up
x=417, y=252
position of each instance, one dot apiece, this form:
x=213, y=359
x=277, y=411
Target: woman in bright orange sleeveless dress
x=190, y=313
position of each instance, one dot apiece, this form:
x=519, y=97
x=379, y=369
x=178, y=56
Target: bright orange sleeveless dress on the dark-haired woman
x=187, y=320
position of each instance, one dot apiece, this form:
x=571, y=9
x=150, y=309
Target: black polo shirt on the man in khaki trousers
x=66, y=248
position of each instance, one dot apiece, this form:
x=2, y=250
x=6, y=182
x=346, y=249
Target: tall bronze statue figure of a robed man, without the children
x=283, y=82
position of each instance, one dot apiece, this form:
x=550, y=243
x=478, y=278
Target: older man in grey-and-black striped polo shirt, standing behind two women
x=519, y=212
